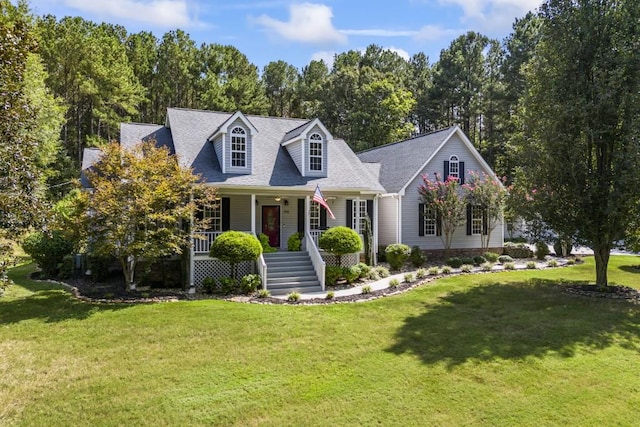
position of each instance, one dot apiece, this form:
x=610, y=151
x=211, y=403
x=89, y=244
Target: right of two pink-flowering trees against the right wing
x=488, y=193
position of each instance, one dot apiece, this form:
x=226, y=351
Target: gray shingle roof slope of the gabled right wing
x=400, y=161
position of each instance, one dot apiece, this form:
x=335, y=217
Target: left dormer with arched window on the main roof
x=233, y=144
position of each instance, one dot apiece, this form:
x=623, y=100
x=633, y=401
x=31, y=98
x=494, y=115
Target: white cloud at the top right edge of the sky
x=493, y=15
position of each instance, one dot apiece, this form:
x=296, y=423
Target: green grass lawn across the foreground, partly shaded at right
x=489, y=349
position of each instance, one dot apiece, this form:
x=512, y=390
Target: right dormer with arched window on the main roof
x=308, y=147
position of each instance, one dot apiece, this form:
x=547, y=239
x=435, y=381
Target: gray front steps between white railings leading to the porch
x=290, y=271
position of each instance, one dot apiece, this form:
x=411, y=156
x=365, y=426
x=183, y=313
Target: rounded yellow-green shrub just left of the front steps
x=235, y=247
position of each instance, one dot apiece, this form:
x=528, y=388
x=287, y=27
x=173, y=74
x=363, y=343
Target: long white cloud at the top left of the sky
x=162, y=13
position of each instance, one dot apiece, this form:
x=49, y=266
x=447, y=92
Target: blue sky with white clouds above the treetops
x=298, y=32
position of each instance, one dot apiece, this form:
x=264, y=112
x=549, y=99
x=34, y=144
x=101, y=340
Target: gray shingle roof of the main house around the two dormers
x=272, y=165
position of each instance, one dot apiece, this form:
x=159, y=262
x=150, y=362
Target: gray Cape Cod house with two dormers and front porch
x=266, y=170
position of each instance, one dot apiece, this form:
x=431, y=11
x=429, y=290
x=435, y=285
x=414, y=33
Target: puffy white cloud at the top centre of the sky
x=308, y=23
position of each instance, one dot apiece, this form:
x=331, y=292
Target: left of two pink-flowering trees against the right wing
x=445, y=198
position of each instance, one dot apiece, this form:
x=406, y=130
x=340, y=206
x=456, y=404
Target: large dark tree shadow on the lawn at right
x=515, y=321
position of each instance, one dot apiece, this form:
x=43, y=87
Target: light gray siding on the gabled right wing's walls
x=410, y=201
